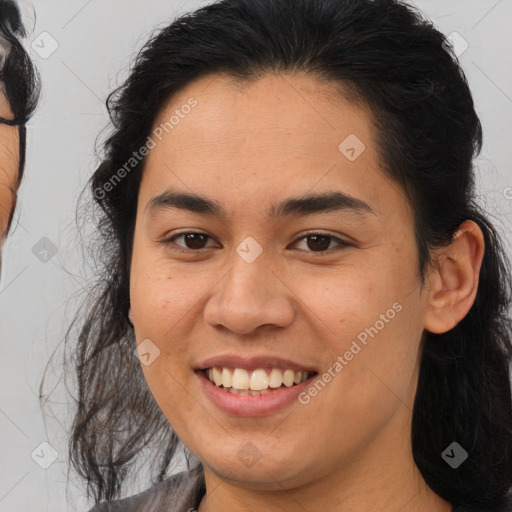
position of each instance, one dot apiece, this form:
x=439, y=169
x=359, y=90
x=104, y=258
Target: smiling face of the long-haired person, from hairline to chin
x=254, y=293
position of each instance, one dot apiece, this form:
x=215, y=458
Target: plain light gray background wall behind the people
x=96, y=42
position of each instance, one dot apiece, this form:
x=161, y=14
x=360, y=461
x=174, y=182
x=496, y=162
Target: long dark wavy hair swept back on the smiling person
x=384, y=54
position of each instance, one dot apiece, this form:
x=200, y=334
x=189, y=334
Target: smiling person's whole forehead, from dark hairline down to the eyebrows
x=283, y=133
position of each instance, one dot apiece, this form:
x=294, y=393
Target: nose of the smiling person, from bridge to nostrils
x=250, y=296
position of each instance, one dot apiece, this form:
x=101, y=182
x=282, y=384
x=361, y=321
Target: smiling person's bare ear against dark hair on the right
x=453, y=282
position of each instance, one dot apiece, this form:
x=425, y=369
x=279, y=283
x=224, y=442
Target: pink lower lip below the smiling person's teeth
x=247, y=405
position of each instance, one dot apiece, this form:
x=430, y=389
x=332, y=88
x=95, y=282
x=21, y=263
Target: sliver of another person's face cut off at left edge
x=9, y=167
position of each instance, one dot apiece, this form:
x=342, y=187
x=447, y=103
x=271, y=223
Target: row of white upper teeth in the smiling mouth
x=257, y=380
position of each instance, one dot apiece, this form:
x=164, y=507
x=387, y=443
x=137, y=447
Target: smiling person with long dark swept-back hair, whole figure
x=309, y=229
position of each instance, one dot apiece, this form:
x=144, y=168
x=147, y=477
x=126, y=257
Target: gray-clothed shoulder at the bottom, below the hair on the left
x=178, y=493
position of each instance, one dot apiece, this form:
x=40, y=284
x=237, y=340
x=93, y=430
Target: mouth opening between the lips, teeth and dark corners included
x=257, y=382
